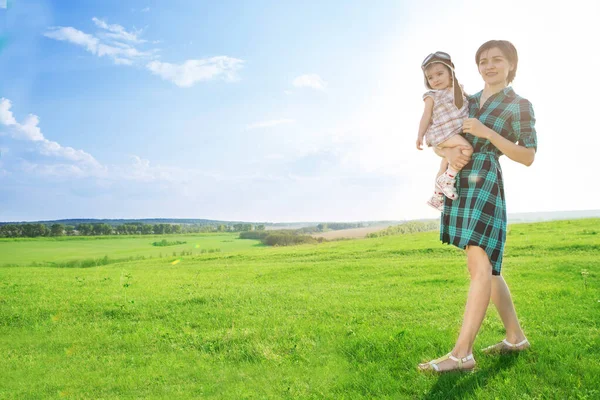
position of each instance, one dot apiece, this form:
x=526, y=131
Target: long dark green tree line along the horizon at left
x=103, y=229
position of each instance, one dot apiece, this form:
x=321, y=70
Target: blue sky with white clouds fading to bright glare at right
x=267, y=110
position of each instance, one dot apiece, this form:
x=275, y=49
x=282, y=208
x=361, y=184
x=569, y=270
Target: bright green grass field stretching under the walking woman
x=347, y=320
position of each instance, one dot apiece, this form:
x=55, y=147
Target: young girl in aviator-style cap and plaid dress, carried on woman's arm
x=441, y=124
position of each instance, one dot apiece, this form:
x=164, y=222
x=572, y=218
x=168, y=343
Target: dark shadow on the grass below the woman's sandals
x=459, y=385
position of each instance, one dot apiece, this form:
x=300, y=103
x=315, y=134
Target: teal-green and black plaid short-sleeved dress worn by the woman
x=478, y=216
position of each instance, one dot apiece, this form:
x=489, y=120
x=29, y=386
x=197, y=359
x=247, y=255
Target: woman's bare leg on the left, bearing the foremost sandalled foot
x=478, y=300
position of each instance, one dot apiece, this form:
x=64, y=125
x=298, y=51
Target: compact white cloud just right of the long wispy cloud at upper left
x=193, y=71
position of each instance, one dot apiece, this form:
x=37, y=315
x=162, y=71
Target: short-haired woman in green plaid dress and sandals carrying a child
x=500, y=123
